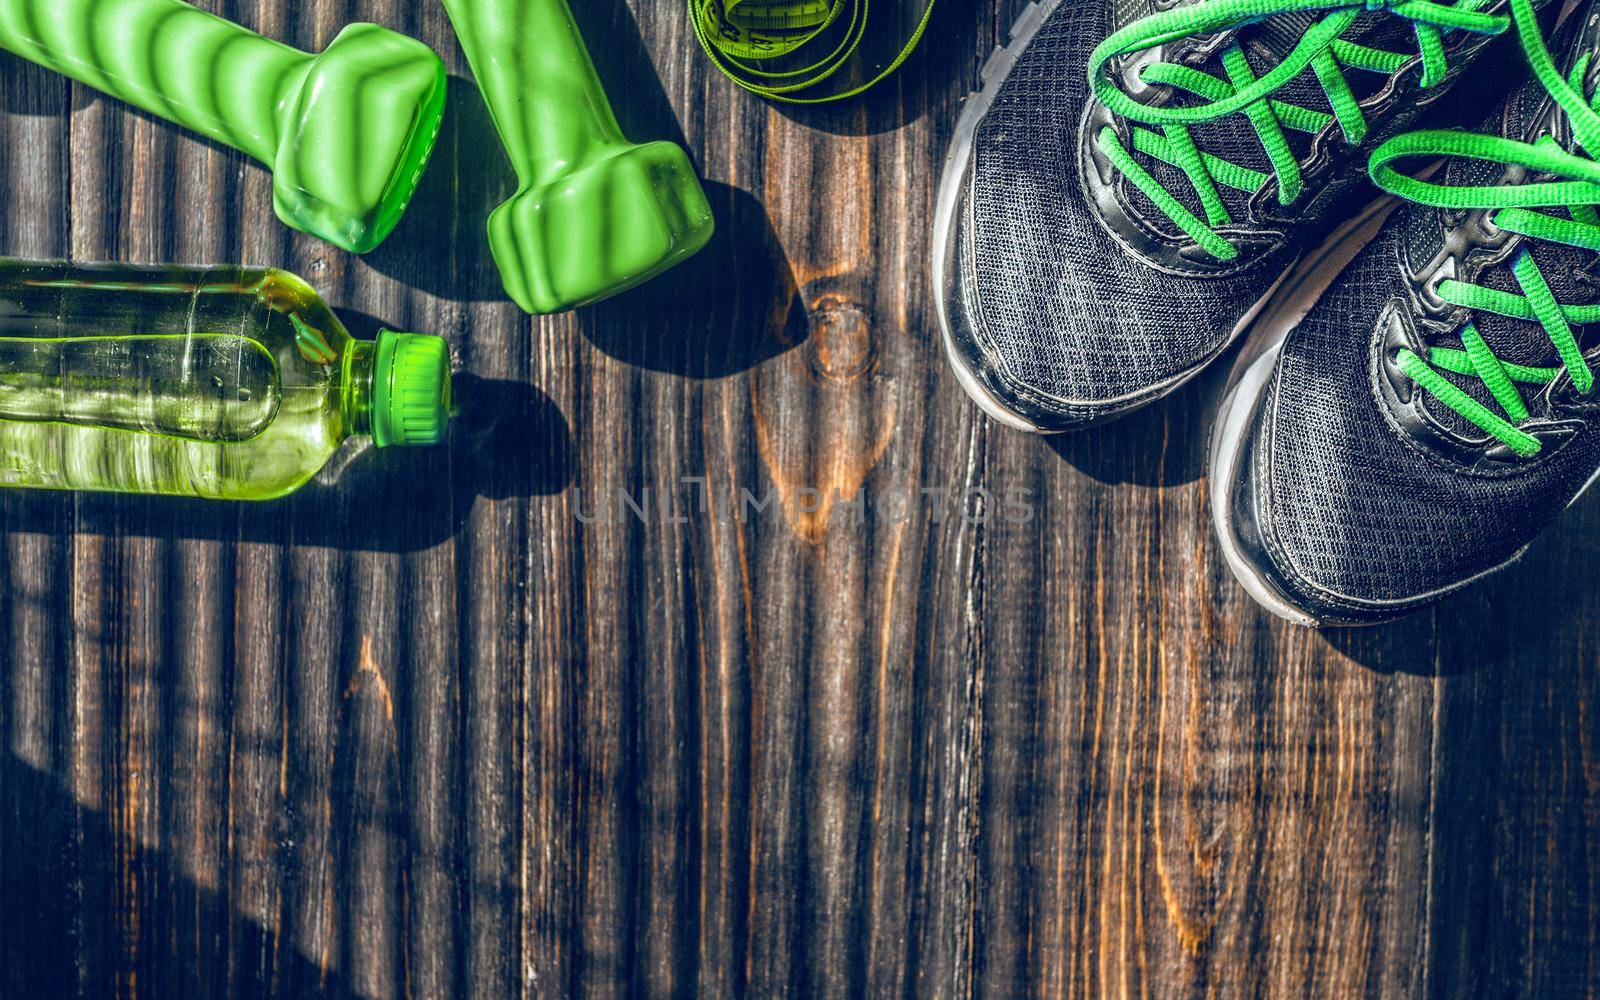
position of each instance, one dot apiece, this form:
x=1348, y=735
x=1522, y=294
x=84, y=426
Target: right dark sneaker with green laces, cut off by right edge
x=1438, y=407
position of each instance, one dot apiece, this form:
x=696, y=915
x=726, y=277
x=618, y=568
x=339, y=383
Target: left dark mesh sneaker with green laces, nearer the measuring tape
x=1111, y=217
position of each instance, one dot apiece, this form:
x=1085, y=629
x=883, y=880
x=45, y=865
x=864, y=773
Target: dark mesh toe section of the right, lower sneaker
x=1354, y=506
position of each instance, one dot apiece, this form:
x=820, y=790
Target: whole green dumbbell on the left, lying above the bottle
x=346, y=134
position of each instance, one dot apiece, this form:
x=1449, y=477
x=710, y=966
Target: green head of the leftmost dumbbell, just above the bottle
x=358, y=135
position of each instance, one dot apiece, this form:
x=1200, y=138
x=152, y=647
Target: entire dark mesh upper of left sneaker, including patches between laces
x=1065, y=308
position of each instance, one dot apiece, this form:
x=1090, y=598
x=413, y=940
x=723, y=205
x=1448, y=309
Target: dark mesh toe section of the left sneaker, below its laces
x=1068, y=310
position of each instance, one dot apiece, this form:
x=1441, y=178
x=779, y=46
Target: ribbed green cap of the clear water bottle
x=410, y=390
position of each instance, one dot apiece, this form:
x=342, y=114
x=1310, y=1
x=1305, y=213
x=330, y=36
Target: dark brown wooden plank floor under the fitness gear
x=455, y=726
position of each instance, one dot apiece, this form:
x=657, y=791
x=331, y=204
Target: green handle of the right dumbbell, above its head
x=540, y=84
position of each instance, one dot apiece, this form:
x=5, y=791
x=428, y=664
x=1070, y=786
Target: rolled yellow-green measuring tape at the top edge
x=804, y=52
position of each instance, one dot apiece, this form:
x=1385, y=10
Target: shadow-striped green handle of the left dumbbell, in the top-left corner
x=169, y=58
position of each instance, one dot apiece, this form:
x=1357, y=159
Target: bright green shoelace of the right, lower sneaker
x=1572, y=186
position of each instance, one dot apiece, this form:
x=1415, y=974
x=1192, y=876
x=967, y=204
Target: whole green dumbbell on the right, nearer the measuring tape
x=594, y=214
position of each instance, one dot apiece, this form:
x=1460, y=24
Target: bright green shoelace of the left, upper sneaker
x=1321, y=49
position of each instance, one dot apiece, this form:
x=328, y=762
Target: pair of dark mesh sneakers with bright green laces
x=1137, y=180
